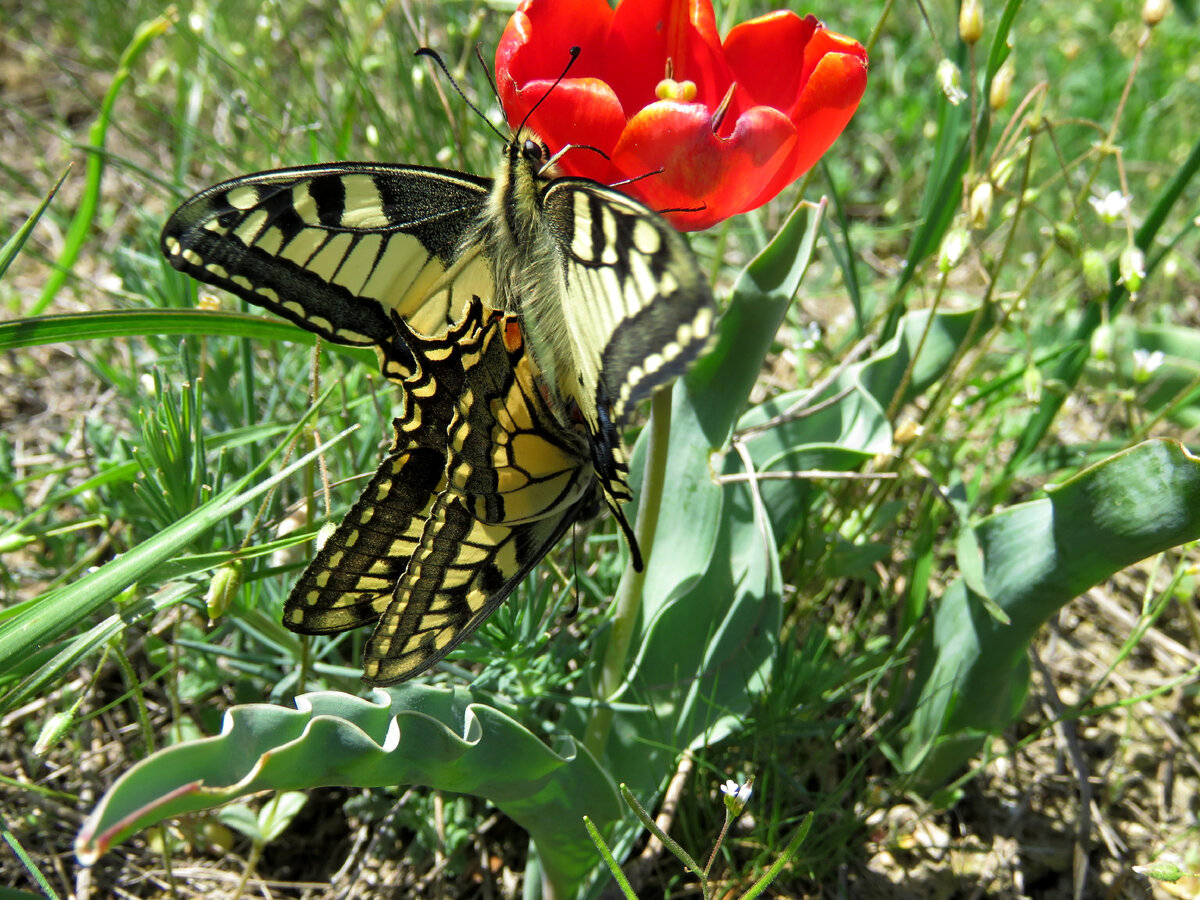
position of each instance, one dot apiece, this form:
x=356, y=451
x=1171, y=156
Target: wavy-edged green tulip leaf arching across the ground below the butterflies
x=415, y=735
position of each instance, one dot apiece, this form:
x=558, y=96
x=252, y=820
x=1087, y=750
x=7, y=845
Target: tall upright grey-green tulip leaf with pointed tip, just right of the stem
x=711, y=605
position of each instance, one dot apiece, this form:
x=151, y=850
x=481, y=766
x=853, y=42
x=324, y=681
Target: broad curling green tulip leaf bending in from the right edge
x=1037, y=557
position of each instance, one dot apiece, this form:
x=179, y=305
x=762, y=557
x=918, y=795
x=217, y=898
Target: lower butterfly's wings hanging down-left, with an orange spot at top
x=463, y=535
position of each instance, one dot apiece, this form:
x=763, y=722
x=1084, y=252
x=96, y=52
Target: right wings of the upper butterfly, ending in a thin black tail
x=632, y=311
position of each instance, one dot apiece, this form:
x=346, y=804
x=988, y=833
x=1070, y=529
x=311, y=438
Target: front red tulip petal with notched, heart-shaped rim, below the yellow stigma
x=712, y=178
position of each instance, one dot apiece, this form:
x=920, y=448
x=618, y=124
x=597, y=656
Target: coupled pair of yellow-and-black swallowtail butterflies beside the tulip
x=595, y=301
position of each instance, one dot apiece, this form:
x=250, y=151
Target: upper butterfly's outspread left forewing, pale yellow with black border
x=338, y=249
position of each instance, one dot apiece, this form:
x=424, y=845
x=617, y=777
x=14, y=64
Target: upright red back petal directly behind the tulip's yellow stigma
x=645, y=35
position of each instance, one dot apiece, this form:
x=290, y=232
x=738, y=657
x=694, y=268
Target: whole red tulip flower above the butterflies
x=701, y=129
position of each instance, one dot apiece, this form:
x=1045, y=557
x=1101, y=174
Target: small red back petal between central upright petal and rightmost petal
x=765, y=57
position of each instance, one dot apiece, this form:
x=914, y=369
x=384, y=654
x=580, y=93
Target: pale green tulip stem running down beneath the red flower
x=629, y=595
